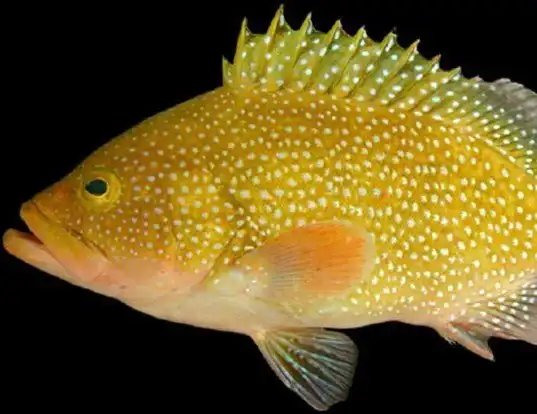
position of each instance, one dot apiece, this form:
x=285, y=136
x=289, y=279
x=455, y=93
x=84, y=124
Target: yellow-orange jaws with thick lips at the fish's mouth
x=52, y=248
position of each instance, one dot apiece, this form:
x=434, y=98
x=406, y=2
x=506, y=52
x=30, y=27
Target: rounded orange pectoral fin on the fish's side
x=322, y=258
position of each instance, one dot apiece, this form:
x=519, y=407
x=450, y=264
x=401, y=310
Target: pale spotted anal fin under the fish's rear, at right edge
x=513, y=316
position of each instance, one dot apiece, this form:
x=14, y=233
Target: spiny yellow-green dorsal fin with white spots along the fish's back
x=384, y=73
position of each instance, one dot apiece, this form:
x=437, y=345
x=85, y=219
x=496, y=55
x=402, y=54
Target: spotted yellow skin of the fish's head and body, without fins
x=171, y=253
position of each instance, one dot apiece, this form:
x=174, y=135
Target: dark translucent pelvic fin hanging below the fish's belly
x=316, y=364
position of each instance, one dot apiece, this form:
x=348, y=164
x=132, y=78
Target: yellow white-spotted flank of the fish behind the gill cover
x=427, y=192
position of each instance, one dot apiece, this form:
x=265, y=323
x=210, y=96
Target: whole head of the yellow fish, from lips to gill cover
x=111, y=224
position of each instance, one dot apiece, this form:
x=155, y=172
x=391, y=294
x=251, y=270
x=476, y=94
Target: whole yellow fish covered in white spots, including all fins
x=330, y=182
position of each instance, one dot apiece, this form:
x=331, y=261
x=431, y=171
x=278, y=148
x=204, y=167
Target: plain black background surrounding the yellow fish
x=74, y=77
